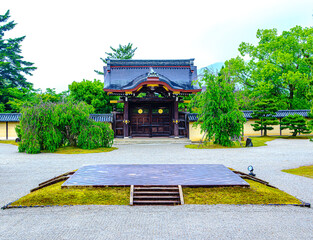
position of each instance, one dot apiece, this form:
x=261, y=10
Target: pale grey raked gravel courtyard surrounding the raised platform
x=20, y=172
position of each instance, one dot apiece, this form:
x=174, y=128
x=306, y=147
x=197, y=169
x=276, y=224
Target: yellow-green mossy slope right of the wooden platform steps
x=256, y=194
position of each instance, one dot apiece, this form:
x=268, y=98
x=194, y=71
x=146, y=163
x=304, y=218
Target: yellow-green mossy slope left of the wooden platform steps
x=54, y=195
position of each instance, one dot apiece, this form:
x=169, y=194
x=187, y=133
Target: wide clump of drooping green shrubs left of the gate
x=48, y=126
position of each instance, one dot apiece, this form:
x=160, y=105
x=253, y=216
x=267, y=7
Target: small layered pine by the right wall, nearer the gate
x=265, y=110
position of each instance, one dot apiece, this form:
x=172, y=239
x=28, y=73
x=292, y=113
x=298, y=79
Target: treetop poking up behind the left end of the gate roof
x=122, y=52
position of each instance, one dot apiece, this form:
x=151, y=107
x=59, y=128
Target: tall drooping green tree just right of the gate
x=218, y=111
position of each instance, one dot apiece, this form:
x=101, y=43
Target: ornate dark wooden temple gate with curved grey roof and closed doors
x=150, y=91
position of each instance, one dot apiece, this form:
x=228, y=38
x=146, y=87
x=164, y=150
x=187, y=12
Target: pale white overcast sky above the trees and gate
x=65, y=39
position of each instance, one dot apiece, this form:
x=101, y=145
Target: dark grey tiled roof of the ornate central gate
x=126, y=74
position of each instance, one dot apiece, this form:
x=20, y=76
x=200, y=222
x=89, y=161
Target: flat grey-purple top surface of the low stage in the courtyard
x=186, y=175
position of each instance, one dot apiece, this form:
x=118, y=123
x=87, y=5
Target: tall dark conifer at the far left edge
x=12, y=66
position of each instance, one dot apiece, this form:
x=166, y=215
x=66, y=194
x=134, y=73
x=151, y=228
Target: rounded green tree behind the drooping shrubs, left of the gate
x=92, y=93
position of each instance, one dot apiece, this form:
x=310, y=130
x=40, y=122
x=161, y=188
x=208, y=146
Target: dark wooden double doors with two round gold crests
x=150, y=120
